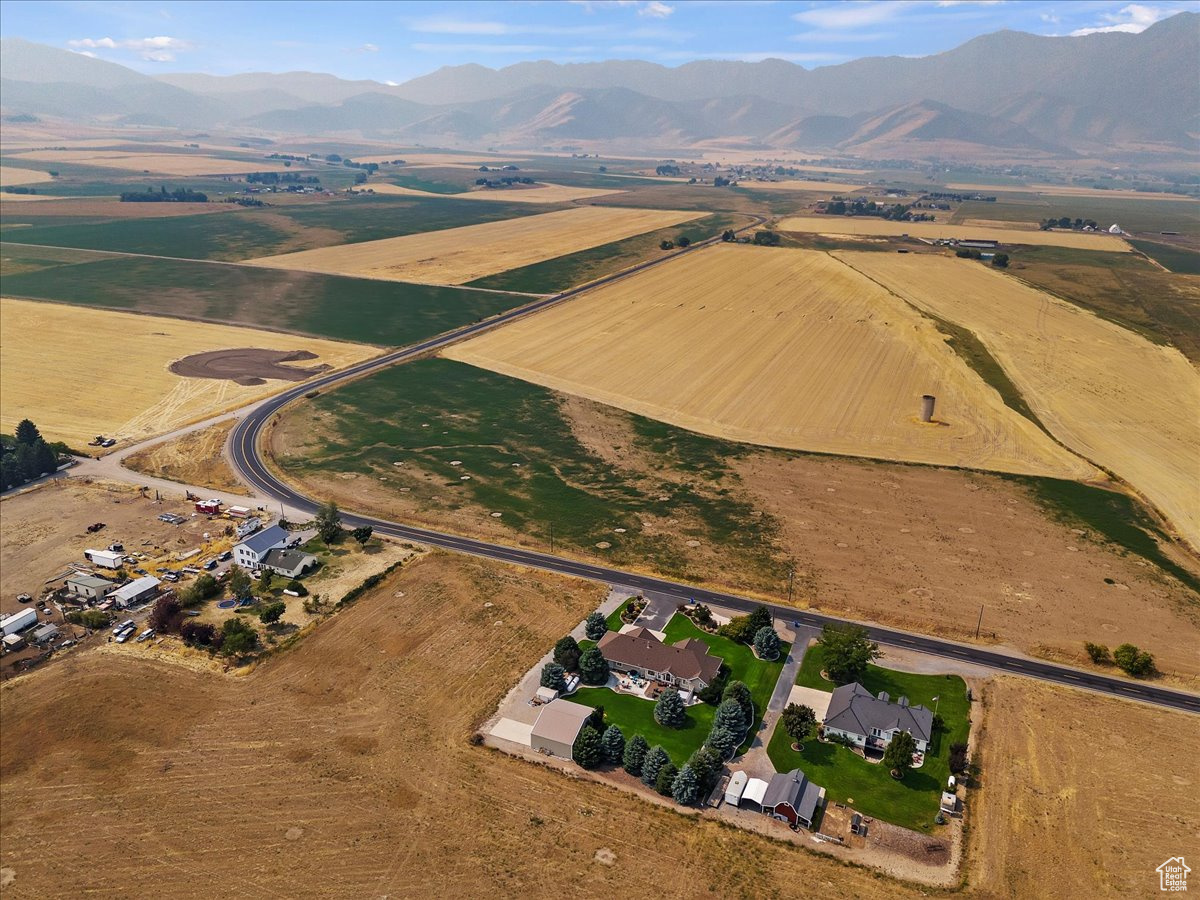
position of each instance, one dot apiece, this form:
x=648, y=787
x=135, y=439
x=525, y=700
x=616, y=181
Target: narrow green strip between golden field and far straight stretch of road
x=562, y=273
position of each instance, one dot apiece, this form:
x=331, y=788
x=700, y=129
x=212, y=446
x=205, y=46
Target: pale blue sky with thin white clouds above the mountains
x=393, y=43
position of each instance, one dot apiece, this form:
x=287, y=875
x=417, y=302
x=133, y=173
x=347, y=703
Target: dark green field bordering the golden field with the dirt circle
x=380, y=313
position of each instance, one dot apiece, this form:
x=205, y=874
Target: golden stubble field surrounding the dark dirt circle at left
x=110, y=370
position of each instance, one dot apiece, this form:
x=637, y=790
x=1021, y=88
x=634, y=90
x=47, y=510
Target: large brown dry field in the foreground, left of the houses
x=343, y=769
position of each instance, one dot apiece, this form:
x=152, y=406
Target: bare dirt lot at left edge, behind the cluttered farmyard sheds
x=44, y=531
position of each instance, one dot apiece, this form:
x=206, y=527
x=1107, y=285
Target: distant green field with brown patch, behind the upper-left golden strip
x=251, y=233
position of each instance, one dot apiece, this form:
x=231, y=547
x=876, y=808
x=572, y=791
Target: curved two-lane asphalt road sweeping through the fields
x=245, y=455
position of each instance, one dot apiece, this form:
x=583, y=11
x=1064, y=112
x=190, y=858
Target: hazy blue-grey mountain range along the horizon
x=1005, y=94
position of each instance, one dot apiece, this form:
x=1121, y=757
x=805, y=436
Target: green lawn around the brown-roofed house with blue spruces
x=635, y=716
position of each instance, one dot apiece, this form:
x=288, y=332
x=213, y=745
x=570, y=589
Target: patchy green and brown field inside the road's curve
x=452, y=411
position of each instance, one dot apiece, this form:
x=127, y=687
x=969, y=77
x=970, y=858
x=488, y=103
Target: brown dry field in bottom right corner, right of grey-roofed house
x=1064, y=817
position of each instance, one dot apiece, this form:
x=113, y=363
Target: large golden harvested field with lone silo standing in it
x=781, y=347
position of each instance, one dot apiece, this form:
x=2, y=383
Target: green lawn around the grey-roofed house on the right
x=847, y=777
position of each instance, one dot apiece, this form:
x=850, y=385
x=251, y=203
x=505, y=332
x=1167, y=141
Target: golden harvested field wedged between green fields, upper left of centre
x=455, y=256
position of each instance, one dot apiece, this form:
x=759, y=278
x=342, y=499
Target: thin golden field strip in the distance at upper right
x=937, y=231
